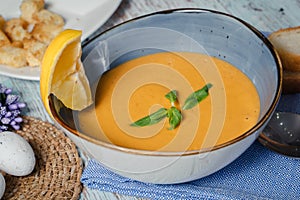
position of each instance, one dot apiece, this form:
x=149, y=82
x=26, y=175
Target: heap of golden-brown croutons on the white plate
x=23, y=40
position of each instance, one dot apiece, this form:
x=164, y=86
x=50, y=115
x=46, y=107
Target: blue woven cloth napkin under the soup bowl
x=257, y=174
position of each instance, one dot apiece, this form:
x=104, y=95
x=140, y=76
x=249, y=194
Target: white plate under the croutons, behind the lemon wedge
x=84, y=15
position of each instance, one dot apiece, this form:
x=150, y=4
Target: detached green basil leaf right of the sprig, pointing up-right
x=196, y=97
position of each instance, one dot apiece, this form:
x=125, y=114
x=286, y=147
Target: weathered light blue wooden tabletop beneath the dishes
x=265, y=15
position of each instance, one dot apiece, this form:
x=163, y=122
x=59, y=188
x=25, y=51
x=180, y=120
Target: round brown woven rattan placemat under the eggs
x=58, y=166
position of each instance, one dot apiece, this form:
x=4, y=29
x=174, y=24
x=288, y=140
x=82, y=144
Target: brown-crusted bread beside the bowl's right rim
x=287, y=44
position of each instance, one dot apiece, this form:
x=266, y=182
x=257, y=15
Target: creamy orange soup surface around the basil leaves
x=137, y=88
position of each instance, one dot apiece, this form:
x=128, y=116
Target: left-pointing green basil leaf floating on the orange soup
x=151, y=119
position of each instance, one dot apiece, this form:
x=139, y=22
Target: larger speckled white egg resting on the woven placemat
x=17, y=157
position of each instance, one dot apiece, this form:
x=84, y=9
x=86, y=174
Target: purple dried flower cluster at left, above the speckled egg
x=10, y=110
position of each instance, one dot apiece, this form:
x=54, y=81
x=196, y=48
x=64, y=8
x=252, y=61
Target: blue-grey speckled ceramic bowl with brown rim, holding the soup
x=193, y=30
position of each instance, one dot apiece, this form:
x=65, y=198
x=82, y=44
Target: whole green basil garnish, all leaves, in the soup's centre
x=173, y=113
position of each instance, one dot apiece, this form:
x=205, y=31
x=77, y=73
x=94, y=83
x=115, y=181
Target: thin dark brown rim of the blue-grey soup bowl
x=251, y=131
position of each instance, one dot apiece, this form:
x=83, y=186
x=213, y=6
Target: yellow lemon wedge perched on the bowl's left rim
x=62, y=72
